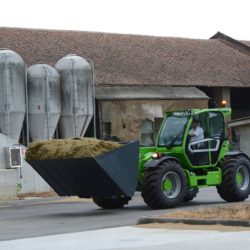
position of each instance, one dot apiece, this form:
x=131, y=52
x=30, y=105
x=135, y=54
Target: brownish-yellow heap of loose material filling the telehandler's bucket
x=69, y=148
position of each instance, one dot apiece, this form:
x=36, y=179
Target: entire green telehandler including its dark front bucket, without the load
x=171, y=172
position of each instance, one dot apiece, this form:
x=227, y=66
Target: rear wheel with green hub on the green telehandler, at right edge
x=234, y=168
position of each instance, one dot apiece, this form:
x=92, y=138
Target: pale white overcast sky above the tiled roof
x=169, y=18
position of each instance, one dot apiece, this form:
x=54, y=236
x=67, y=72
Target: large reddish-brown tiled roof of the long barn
x=137, y=60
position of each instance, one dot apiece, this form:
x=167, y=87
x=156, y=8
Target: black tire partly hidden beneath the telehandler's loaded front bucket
x=111, y=202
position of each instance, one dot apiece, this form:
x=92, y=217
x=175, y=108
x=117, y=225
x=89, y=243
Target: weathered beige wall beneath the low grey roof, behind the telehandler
x=126, y=116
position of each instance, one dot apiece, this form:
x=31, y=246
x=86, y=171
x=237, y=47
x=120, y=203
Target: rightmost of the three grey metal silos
x=77, y=95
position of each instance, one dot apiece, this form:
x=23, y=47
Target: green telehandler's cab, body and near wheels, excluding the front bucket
x=178, y=166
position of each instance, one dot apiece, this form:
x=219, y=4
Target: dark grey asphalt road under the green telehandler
x=24, y=221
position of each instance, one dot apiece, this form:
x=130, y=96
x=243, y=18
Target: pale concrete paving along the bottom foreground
x=127, y=238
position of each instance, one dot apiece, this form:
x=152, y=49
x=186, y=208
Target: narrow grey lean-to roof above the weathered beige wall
x=148, y=92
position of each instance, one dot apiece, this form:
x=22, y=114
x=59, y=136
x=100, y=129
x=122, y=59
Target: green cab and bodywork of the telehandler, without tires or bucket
x=198, y=175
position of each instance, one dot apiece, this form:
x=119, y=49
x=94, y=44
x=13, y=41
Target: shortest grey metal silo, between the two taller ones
x=44, y=106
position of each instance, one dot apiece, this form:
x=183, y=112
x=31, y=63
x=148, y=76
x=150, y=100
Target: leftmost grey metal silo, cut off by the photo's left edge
x=12, y=93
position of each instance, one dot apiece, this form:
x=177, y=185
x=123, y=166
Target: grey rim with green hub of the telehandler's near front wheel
x=171, y=185
